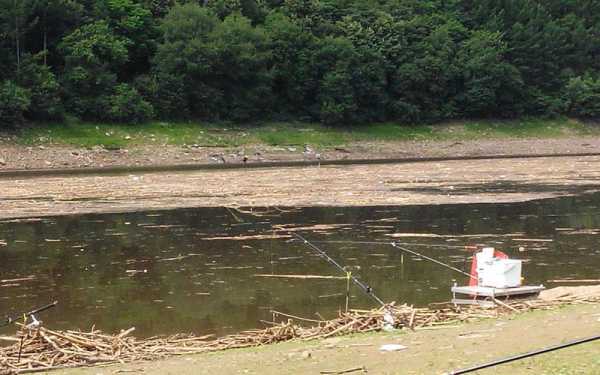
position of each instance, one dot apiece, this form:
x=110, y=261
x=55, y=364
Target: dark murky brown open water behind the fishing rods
x=164, y=272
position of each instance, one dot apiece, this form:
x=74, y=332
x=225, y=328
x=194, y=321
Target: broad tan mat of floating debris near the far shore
x=457, y=181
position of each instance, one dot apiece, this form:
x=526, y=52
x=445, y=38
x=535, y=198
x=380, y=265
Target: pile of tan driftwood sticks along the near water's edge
x=41, y=349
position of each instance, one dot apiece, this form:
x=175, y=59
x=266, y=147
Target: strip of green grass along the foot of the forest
x=278, y=134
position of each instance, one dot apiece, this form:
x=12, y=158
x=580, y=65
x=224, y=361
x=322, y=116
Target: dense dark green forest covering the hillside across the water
x=333, y=61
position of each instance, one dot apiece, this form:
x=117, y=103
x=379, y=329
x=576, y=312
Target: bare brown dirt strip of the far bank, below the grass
x=15, y=156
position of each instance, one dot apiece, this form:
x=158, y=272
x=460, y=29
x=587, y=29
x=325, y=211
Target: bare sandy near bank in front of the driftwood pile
x=427, y=352
